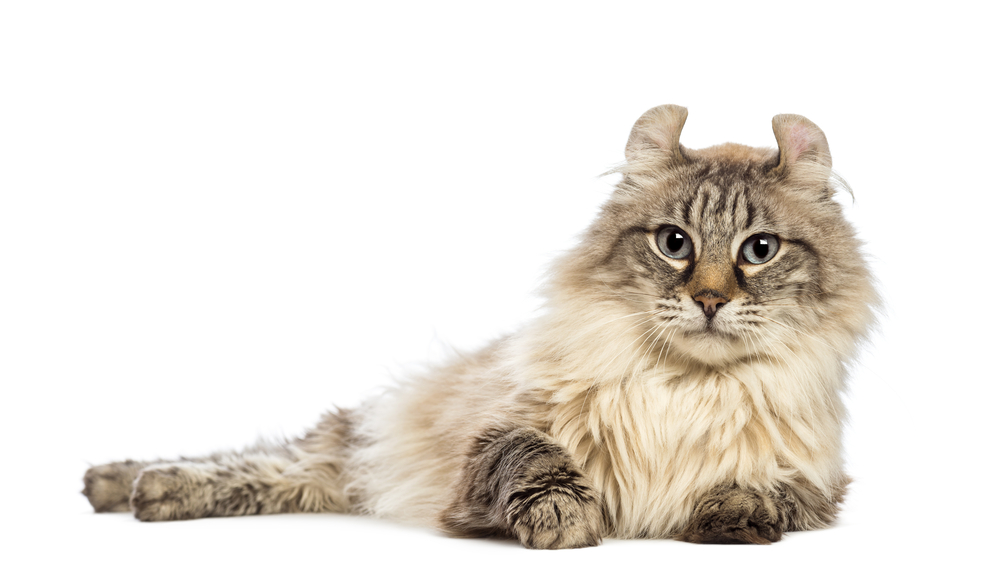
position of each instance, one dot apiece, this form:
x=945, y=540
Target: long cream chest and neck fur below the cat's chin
x=655, y=431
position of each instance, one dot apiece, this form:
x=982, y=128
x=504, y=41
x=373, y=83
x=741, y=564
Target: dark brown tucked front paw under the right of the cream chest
x=734, y=515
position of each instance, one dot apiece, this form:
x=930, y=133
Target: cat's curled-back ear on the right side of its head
x=802, y=147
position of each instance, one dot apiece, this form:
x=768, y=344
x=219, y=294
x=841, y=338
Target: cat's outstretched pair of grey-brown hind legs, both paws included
x=304, y=475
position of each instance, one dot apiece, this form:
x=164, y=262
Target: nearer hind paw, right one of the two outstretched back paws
x=165, y=492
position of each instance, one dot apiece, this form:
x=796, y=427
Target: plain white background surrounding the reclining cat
x=219, y=219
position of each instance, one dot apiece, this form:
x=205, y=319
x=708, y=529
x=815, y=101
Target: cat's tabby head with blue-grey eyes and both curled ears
x=723, y=253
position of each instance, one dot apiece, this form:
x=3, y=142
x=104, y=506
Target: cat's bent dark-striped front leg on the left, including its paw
x=522, y=483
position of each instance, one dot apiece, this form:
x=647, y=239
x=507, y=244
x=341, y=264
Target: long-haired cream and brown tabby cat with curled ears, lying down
x=684, y=381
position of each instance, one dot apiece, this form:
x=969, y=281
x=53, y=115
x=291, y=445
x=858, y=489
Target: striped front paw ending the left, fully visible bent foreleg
x=556, y=517
